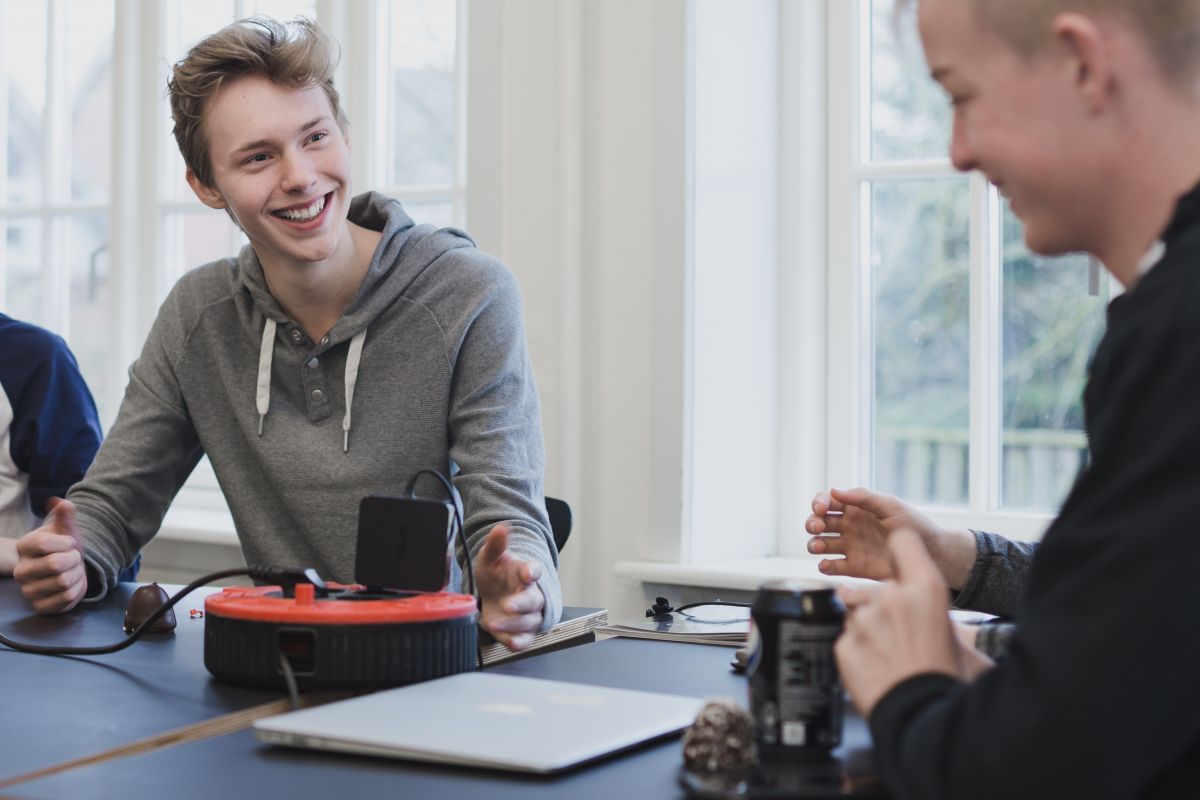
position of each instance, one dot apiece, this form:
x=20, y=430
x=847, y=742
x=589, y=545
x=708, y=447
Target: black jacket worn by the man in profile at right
x=1100, y=695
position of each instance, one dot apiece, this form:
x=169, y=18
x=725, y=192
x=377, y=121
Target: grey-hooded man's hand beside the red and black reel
x=508, y=587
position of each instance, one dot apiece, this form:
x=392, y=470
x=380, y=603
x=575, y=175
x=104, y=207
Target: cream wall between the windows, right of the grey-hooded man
x=579, y=184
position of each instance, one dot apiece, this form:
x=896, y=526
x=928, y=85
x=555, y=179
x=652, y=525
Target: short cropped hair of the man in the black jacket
x=1172, y=28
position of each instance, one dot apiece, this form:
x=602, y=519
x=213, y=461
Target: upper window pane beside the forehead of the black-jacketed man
x=910, y=116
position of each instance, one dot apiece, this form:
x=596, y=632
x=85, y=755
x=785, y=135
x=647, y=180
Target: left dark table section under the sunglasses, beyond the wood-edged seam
x=62, y=708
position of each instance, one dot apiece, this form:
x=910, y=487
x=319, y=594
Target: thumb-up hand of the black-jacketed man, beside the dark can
x=898, y=630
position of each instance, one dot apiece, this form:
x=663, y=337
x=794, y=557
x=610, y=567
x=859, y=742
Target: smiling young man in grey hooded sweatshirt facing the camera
x=343, y=352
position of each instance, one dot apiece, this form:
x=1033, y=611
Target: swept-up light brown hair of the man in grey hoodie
x=296, y=55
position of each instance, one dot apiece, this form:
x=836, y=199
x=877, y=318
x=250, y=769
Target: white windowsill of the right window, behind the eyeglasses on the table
x=742, y=574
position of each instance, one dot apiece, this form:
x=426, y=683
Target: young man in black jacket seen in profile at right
x=1085, y=115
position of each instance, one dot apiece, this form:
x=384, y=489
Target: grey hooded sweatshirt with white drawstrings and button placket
x=427, y=369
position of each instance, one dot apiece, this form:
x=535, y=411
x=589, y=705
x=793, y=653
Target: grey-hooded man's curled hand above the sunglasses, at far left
x=50, y=562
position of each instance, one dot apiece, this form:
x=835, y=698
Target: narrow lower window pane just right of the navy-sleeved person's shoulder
x=81, y=244
